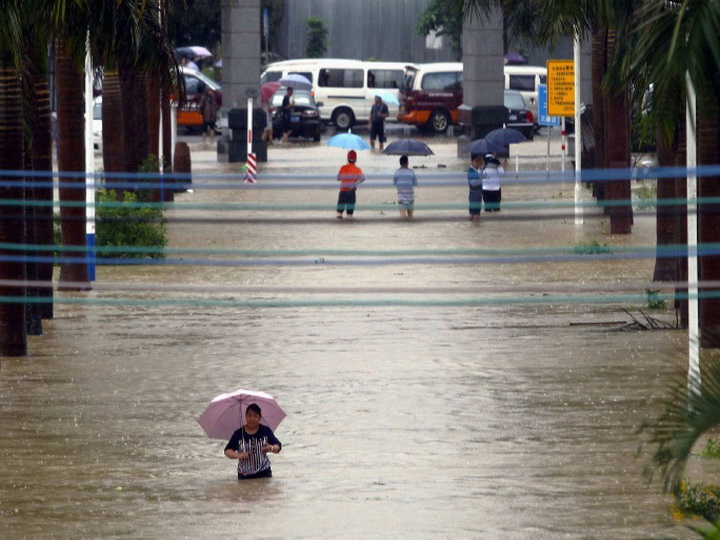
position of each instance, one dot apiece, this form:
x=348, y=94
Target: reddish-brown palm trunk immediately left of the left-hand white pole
x=71, y=159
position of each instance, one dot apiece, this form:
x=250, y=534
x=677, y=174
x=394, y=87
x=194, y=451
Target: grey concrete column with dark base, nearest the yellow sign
x=483, y=79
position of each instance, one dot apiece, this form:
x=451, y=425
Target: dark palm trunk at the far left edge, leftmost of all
x=13, y=336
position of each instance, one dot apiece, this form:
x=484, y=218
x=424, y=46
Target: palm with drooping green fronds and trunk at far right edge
x=677, y=40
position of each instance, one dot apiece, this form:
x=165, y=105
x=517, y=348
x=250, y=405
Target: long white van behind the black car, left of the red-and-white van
x=346, y=88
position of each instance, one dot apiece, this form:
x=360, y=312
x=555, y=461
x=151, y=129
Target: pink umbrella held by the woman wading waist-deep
x=226, y=413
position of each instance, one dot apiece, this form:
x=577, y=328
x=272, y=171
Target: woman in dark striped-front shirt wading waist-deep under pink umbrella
x=251, y=444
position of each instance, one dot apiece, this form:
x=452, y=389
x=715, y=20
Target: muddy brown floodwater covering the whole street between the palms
x=440, y=379
